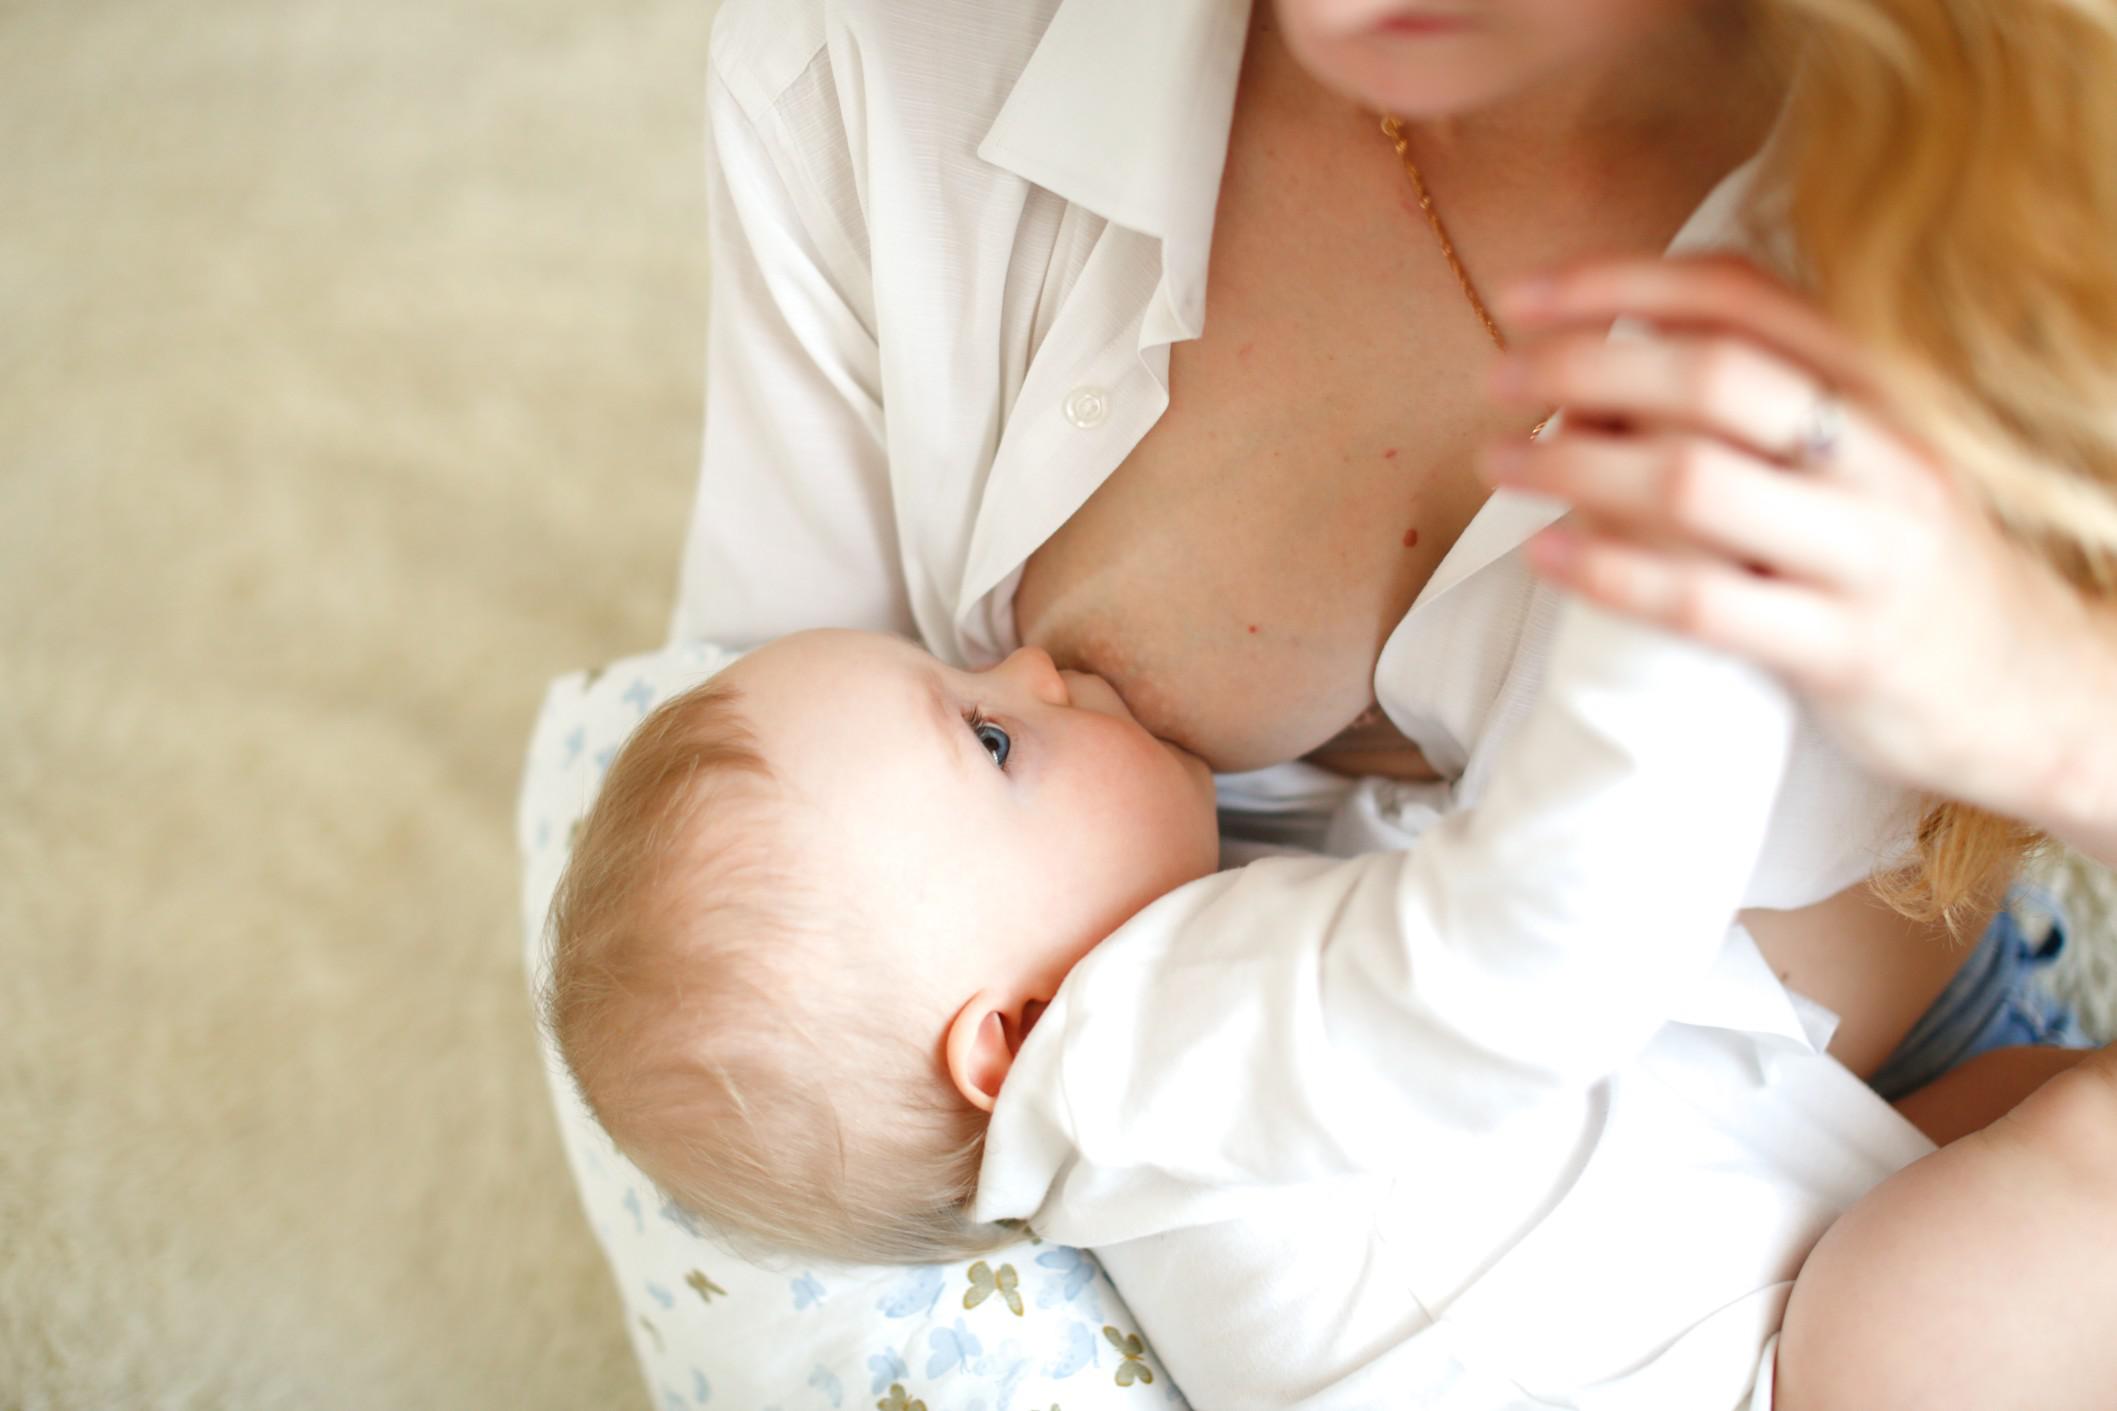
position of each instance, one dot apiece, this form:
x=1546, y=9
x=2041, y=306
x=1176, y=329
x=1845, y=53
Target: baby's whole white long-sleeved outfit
x=1506, y=1120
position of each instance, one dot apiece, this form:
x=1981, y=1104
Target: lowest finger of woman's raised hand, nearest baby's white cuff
x=1796, y=631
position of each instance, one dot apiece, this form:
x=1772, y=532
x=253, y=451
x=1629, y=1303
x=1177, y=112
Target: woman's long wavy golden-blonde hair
x=1949, y=170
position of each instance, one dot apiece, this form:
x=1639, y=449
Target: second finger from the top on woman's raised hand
x=1712, y=386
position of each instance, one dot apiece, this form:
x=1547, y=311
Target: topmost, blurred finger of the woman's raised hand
x=1714, y=293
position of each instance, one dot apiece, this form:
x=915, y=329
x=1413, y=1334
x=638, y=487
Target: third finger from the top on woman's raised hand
x=1703, y=494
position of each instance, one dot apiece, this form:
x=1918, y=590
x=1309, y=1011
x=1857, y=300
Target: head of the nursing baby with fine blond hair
x=818, y=909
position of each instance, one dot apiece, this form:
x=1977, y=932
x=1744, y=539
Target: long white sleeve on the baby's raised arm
x=1309, y=1019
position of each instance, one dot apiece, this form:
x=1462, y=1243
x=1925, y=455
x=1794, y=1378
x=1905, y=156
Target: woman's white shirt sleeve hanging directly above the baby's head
x=793, y=526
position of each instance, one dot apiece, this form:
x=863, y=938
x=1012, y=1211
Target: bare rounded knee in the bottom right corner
x=1980, y=1277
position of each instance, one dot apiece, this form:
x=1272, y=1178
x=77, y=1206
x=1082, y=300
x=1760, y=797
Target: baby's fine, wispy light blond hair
x=712, y=1006
